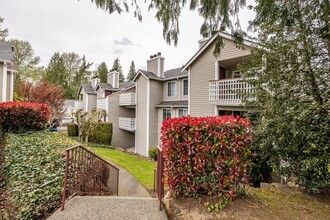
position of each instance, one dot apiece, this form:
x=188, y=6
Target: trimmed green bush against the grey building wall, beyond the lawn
x=102, y=134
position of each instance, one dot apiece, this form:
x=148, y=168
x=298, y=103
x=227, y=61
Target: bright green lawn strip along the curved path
x=142, y=170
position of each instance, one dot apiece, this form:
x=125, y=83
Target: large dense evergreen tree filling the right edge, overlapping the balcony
x=292, y=89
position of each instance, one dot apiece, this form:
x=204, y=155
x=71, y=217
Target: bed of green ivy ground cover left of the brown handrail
x=33, y=171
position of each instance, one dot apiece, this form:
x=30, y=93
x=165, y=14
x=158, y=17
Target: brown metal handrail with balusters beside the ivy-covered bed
x=88, y=174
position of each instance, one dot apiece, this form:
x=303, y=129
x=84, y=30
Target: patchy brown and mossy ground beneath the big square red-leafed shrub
x=272, y=201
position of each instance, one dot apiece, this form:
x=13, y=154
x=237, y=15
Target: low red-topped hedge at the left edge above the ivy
x=23, y=116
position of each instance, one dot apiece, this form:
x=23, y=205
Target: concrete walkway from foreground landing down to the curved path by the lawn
x=133, y=202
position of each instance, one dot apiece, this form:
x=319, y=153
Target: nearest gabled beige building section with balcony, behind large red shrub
x=214, y=82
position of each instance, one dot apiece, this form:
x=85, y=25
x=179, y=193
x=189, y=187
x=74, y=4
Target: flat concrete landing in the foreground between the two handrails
x=110, y=207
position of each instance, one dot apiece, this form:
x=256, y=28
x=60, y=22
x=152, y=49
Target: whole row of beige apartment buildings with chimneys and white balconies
x=205, y=86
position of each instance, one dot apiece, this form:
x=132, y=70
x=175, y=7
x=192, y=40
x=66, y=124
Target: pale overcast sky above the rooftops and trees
x=78, y=26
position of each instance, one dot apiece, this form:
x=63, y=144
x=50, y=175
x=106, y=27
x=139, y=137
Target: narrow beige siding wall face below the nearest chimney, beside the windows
x=155, y=98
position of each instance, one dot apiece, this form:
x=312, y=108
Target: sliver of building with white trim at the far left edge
x=7, y=71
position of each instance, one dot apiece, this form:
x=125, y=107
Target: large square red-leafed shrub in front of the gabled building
x=206, y=155
